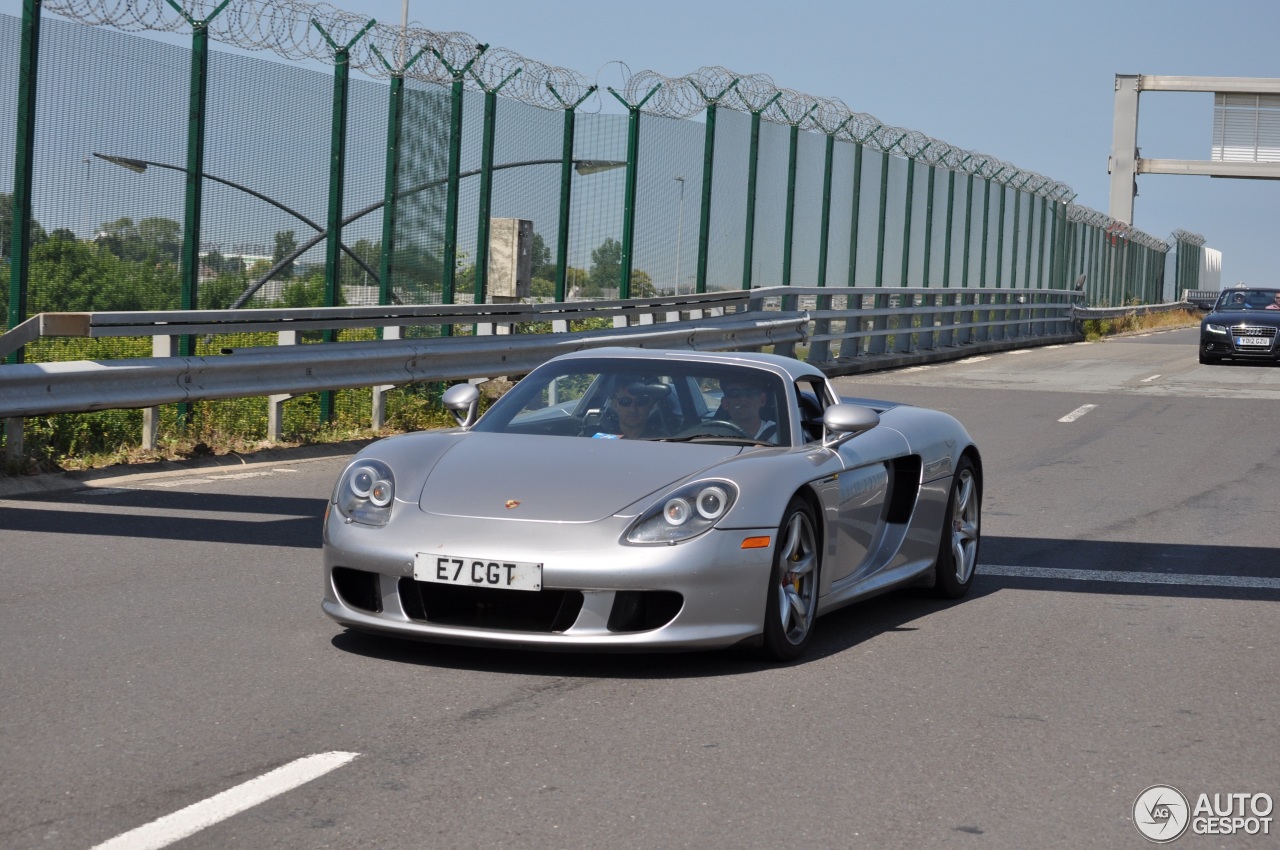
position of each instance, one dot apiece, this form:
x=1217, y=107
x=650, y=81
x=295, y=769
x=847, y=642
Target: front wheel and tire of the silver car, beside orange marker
x=792, y=602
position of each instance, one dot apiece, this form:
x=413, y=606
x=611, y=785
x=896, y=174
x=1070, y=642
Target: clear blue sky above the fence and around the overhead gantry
x=1031, y=84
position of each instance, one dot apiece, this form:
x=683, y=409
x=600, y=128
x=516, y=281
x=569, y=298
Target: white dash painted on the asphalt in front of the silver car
x=207, y=814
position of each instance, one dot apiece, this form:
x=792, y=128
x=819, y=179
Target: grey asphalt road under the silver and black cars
x=164, y=648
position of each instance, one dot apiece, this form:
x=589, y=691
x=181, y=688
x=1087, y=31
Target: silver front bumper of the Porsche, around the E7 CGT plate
x=597, y=593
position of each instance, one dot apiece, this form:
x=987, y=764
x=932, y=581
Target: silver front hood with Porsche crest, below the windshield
x=556, y=479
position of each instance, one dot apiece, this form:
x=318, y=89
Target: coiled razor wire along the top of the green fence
x=292, y=30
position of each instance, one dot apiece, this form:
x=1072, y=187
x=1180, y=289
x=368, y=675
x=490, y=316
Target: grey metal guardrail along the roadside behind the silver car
x=847, y=331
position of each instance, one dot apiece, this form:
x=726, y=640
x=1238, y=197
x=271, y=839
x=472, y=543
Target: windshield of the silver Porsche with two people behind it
x=651, y=400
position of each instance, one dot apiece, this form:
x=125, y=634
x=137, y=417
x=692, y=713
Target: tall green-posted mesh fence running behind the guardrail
x=383, y=185
